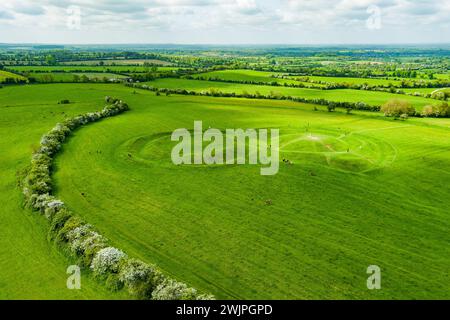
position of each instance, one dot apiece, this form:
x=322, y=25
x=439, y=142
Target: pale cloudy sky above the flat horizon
x=225, y=21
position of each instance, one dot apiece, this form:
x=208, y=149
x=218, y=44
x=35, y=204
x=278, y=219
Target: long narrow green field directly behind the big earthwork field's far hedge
x=370, y=97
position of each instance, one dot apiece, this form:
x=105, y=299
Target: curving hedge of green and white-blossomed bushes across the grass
x=80, y=239
